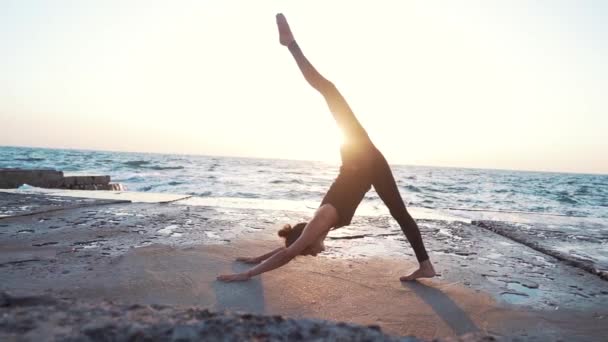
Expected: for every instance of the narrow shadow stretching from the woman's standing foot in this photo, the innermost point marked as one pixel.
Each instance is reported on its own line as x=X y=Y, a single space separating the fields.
x=444 y=307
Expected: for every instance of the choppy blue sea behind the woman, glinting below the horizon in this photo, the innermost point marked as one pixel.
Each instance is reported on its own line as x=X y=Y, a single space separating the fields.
x=570 y=208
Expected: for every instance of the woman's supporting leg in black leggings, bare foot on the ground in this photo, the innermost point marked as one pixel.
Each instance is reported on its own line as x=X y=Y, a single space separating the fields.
x=385 y=186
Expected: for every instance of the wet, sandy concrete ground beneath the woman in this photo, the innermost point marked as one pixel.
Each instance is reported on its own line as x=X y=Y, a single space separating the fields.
x=151 y=253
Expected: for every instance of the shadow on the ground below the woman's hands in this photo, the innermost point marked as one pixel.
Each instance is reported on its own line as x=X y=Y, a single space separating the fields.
x=240 y=296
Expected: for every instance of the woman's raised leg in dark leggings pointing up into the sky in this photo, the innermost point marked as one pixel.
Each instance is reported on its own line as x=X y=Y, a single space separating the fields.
x=342 y=113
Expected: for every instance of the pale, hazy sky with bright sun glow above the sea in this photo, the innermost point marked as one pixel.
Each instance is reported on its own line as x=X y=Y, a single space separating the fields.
x=489 y=84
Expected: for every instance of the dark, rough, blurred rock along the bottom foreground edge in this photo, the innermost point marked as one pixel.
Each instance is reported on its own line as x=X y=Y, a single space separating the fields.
x=37 y=318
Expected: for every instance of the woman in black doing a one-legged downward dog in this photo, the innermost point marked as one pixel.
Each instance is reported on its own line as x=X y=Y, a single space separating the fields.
x=362 y=166
